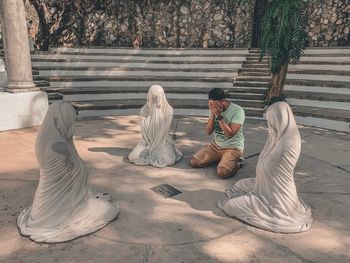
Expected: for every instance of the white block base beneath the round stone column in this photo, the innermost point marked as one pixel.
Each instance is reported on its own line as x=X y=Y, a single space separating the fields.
x=22 y=110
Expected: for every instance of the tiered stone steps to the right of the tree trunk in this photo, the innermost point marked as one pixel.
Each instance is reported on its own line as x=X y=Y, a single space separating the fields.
x=318 y=89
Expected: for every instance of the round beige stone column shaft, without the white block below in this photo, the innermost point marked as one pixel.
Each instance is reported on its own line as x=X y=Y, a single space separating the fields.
x=16 y=47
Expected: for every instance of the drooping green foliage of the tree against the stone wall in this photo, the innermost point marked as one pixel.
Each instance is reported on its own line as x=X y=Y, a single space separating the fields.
x=284 y=37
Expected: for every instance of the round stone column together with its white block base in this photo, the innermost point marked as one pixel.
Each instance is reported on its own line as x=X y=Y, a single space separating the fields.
x=23 y=105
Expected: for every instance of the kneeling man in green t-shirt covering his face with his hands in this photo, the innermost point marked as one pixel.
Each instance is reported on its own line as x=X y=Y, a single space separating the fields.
x=226 y=121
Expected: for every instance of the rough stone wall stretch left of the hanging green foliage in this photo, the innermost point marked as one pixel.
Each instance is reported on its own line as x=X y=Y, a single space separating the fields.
x=168 y=23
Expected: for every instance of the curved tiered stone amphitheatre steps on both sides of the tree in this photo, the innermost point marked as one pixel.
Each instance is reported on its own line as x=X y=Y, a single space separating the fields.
x=107 y=81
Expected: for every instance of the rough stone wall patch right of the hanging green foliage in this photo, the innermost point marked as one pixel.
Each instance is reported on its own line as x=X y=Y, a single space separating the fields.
x=329 y=22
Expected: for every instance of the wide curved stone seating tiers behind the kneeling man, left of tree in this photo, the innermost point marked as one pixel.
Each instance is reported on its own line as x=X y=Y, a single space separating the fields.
x=109 y=81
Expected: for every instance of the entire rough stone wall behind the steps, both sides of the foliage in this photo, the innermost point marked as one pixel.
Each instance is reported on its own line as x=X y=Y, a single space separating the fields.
x=188 y=23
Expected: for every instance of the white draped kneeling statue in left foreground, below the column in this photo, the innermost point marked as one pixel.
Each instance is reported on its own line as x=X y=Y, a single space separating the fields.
x=64 y=206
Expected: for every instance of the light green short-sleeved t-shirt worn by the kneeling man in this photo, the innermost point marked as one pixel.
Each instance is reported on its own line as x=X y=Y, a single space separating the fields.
x=233 y=114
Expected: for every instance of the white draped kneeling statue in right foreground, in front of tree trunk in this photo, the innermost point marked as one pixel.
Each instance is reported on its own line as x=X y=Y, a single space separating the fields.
x=270 y=200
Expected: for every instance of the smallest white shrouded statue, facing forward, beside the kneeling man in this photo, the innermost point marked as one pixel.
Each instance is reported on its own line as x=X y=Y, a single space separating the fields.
x=156 y=146
